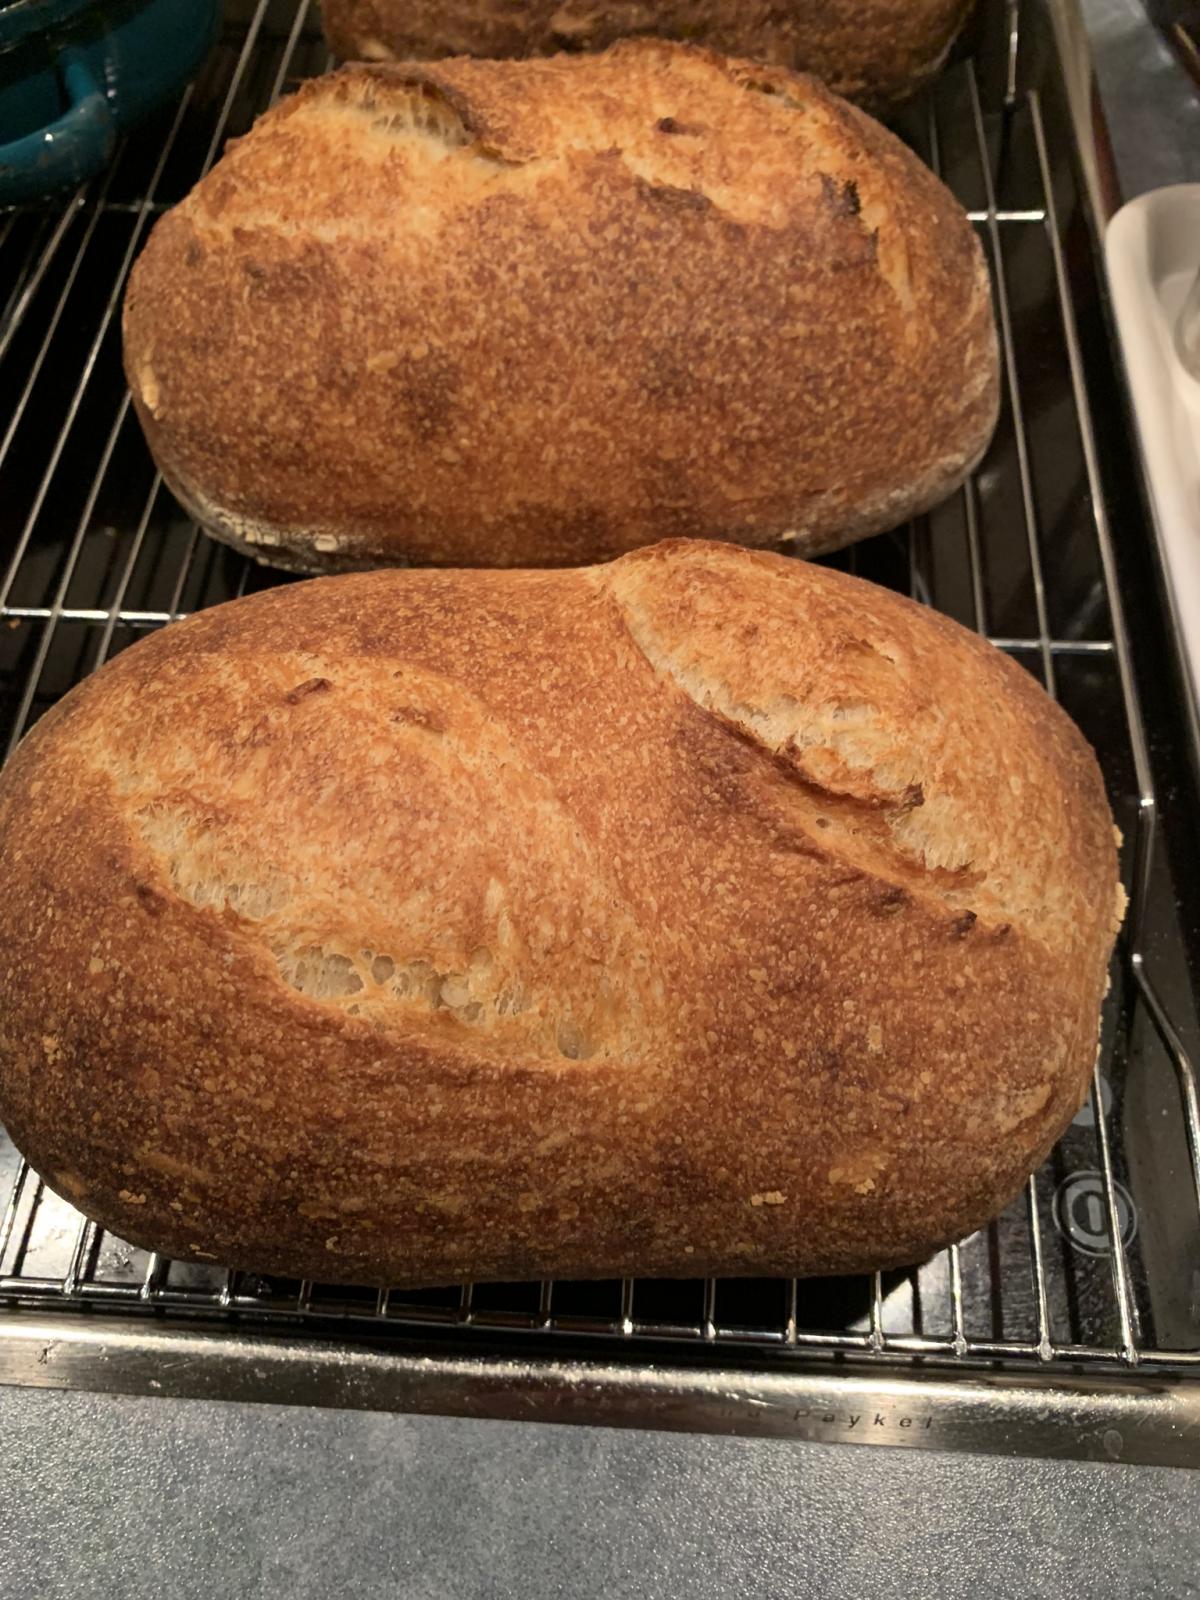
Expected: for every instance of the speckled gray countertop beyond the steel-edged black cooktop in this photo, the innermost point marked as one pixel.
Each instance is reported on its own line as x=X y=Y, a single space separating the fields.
x=111 y=1497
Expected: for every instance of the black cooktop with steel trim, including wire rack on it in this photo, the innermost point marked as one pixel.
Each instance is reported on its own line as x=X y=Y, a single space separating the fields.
x=1073 y=1324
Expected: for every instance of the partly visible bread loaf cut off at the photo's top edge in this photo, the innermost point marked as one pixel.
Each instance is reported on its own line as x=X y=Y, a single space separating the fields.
x=878 y=52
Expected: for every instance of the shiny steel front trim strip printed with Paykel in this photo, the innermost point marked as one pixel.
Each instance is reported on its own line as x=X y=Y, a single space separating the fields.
x=1146 y=1420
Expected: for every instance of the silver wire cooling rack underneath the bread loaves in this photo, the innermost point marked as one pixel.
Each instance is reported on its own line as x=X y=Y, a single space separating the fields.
x=1100 y=1260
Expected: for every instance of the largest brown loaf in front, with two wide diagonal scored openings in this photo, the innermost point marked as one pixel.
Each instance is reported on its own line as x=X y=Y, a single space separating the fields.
x=697 y=914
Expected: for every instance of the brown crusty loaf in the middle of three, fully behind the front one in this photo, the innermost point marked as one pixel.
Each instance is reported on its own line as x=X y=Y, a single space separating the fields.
x=522 y=314
